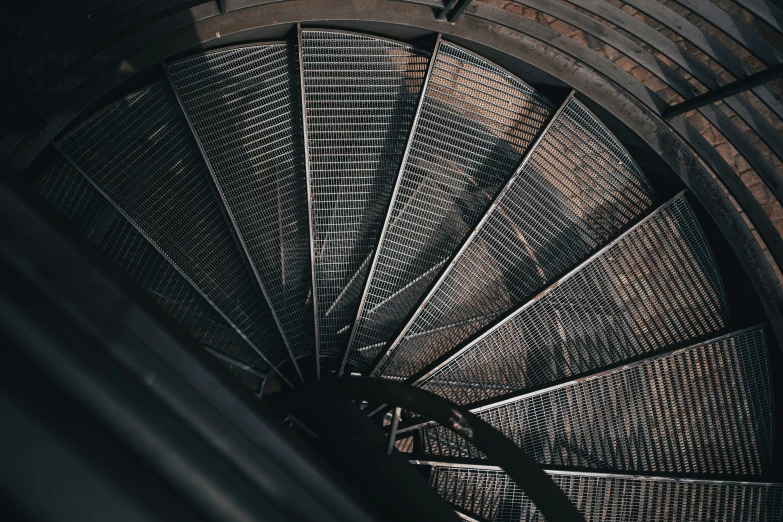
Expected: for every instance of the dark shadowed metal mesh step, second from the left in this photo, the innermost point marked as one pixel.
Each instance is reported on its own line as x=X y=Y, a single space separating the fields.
x=141 y=154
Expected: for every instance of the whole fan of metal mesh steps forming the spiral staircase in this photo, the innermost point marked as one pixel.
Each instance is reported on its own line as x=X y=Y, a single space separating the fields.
x=340 y=204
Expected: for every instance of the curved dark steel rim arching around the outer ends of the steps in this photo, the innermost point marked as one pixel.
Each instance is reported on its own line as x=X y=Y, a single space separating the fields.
x=520 y=40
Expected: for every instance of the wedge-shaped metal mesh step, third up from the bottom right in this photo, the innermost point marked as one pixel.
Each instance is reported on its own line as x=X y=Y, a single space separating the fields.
x=652 y=288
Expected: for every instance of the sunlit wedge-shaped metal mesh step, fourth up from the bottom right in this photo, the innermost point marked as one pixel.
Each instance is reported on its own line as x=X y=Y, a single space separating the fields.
x=544 y=223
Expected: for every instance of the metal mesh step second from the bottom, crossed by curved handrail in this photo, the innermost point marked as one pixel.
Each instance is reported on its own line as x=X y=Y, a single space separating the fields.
x=702 y=409
